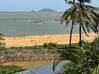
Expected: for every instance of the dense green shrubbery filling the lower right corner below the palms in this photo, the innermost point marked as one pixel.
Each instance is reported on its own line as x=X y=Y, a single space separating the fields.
x=85 y=59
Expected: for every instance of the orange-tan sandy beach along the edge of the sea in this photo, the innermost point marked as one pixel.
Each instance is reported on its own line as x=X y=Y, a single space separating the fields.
x=41 y=39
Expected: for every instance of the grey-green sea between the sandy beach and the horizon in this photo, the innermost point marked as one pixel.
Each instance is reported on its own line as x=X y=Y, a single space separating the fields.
x=14 y=24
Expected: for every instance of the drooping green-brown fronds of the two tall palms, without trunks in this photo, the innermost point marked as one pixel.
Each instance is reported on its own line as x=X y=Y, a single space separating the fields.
x=82 y=14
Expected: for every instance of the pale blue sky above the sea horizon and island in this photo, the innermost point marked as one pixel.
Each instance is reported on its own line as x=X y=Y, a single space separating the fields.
x=29 y=5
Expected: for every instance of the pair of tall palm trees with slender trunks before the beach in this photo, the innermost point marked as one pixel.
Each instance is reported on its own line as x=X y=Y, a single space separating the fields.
x=81 y=14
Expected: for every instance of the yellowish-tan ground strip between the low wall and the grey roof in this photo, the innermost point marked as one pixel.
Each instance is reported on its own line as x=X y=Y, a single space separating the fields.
x=28 y=65
